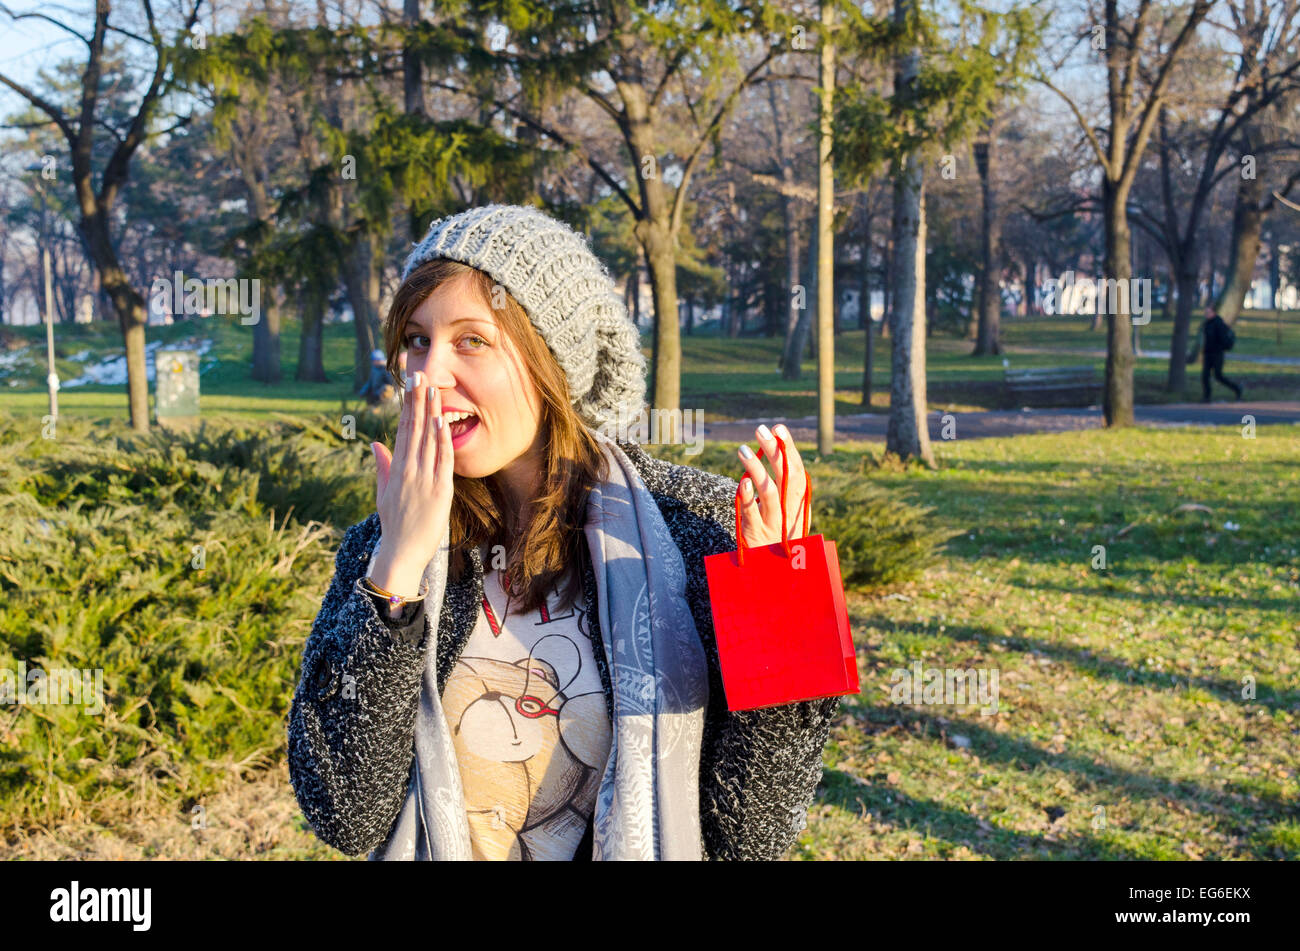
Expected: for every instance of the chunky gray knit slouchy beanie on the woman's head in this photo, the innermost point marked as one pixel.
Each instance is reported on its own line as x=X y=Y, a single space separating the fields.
x=567 y=293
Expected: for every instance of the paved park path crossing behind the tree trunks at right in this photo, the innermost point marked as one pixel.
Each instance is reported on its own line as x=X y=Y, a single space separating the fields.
x=1004 y=423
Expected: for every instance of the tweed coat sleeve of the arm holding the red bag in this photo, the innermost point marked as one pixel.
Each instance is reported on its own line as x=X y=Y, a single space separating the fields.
x=760 y=770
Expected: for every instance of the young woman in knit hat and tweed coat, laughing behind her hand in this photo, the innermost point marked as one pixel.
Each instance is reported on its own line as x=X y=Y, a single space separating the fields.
x=515 y=658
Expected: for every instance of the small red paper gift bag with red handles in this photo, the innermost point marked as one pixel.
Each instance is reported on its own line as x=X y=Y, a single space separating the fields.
x=779 y=616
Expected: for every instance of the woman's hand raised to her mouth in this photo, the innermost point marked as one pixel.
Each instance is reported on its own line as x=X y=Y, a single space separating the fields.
x=413 y=490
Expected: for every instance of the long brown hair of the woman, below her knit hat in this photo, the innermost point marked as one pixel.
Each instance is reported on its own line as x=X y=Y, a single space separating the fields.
x=551 y=546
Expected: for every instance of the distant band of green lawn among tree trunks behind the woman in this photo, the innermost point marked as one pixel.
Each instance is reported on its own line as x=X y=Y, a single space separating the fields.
x=726 y=379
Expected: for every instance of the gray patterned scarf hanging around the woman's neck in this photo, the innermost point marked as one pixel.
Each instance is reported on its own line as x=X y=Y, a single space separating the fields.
x=648 y=804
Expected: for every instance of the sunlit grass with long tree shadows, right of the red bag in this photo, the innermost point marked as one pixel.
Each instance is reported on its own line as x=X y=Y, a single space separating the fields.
x=1126 y=727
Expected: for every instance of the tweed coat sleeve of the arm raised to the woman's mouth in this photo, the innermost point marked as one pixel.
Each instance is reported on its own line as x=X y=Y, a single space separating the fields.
x=352 y=726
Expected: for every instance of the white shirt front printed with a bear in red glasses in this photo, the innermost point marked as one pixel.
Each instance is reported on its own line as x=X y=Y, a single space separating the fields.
x=532 y=733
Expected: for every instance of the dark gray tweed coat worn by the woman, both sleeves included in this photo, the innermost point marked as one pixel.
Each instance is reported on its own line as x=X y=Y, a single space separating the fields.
x=350 y=759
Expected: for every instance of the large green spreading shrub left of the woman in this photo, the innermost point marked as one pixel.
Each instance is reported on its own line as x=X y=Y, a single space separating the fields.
x=172 y=564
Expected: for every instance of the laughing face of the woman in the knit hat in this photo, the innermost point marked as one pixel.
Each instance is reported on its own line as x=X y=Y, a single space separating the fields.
x=453 y=338
